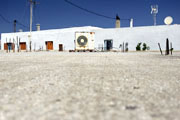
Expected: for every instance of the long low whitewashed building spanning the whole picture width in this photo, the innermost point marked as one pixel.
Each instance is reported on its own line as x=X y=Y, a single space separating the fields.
x=103 y=38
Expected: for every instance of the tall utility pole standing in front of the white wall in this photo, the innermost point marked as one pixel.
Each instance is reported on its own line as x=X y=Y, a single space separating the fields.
x=32 y=3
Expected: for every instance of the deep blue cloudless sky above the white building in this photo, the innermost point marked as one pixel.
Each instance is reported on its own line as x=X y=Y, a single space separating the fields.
x=52 y=14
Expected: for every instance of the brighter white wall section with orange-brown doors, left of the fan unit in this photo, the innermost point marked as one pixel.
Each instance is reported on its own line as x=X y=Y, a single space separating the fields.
x=58 y=36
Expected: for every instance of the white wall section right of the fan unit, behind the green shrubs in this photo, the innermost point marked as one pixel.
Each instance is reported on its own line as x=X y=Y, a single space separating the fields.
x=151 y=35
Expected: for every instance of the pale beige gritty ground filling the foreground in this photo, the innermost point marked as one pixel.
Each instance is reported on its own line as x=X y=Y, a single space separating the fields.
x=89 y=86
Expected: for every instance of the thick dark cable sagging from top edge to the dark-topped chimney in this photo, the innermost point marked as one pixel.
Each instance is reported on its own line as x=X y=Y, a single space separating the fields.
x=75 y=5
